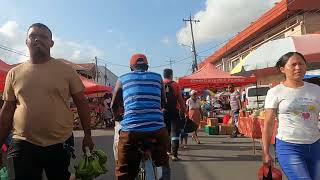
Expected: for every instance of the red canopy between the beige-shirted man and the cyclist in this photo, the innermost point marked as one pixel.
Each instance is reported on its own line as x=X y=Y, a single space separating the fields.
x=93 y=87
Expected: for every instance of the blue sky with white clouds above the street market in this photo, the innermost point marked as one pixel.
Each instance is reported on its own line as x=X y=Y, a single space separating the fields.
x=114 y=30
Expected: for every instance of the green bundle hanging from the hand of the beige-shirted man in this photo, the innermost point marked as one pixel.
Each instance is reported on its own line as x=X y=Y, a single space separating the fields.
x=91 y=165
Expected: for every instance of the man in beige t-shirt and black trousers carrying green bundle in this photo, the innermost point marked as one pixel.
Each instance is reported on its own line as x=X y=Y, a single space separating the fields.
x=36 y=110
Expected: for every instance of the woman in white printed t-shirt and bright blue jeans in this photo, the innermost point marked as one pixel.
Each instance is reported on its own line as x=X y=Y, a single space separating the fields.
x=296 y=104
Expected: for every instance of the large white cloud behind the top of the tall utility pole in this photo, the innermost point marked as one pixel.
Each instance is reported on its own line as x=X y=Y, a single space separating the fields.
x=223 y=18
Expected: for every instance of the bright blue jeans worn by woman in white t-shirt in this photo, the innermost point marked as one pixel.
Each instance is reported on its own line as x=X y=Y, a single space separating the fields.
x=299 y=161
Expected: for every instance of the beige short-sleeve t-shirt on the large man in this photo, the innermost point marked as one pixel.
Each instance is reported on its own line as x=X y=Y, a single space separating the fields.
x=42 y=93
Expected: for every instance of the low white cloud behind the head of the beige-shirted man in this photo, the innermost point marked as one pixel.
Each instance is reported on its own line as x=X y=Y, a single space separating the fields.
x=11 y=36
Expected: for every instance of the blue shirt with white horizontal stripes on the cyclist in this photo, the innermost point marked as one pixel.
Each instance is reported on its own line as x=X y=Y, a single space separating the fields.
x=142 y=101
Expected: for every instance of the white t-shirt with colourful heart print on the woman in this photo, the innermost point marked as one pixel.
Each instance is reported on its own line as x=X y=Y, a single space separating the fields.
x=298 y=112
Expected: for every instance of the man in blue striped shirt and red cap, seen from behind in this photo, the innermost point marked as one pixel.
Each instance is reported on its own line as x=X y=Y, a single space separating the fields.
x=142 y=95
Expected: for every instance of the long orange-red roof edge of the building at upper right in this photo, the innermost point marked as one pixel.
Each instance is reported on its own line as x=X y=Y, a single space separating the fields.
x=269 y=19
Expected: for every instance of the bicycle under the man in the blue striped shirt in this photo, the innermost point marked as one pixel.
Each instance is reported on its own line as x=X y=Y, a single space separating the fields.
x=147 y=169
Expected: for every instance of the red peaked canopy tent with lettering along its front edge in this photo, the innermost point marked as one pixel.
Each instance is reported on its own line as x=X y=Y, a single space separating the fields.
x=209 y=76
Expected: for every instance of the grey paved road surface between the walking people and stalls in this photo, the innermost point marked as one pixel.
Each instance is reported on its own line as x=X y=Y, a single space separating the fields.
x=218 y=158
